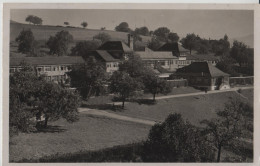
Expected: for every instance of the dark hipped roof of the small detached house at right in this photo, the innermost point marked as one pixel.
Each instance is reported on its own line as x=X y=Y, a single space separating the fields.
x=201 y=67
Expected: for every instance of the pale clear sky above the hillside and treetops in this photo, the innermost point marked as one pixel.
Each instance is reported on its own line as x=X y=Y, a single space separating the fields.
x=212 y=24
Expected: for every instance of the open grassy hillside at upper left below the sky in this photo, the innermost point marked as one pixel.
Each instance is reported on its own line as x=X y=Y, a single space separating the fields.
x=43 y=32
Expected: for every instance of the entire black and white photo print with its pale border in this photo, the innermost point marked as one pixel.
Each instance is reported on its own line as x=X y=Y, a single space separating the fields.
x=130 y=85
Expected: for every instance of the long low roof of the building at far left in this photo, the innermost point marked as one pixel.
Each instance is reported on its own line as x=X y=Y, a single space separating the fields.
x=47 y=60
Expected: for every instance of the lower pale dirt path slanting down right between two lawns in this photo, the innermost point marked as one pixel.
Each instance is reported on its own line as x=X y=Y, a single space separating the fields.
x=114 y=116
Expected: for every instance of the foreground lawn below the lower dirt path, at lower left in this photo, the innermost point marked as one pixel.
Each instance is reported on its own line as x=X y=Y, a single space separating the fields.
x=89 y=133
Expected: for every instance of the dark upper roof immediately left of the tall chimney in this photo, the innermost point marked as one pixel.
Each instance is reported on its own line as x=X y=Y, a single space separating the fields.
x=115 y=46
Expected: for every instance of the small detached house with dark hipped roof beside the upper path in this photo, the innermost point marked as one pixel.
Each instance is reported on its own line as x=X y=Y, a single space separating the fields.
x=204 y=75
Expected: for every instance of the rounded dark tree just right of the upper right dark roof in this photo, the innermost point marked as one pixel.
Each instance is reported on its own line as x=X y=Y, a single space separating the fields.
x=190 y=42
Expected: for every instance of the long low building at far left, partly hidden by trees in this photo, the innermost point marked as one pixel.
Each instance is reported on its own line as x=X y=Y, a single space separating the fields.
x=52 y=68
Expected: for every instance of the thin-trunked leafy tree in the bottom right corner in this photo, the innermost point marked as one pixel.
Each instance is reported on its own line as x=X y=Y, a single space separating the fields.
x=229 y=125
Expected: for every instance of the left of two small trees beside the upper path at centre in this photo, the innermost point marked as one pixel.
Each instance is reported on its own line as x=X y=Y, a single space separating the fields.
x=123 y=85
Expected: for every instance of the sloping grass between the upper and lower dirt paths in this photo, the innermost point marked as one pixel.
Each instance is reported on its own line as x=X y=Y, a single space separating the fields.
x=192 y=108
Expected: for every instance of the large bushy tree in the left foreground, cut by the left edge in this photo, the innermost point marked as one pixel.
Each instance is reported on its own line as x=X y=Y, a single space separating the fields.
x=31 y=96
